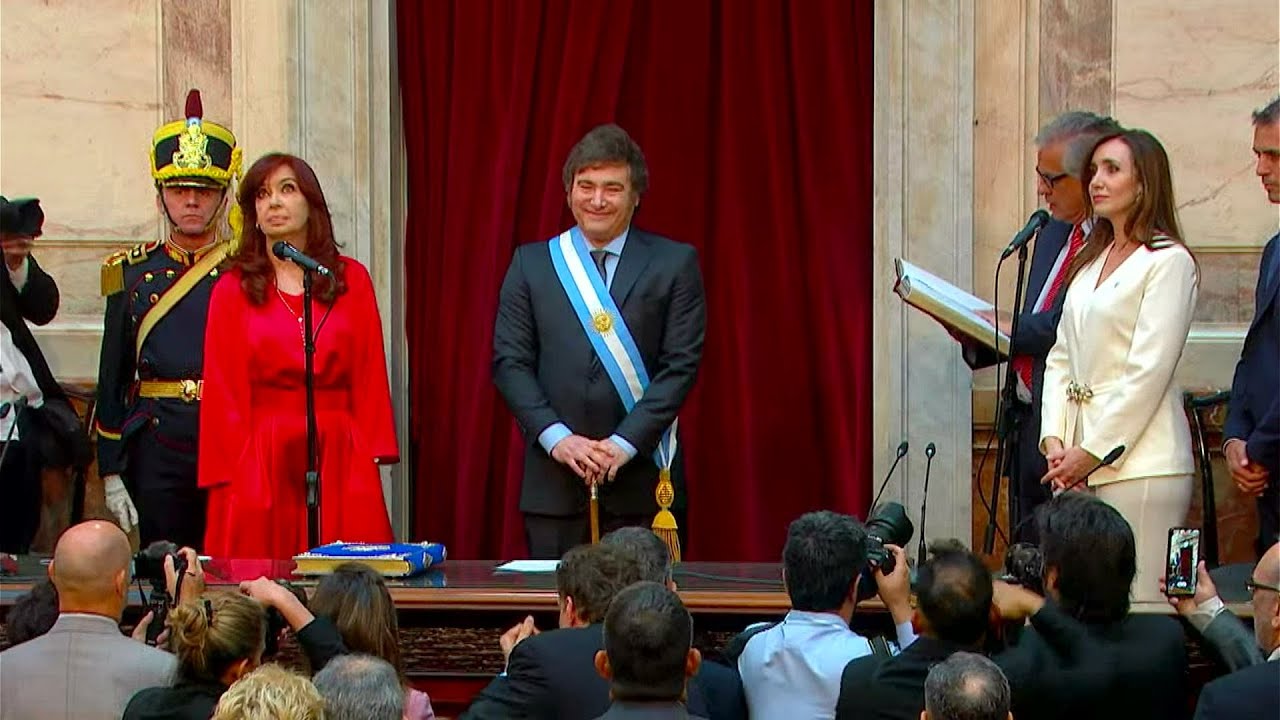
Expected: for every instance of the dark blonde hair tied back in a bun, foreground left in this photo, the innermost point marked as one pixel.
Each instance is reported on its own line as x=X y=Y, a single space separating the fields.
x=216 y=631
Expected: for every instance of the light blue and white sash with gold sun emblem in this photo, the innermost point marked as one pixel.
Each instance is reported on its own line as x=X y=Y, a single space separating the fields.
x=605 y=327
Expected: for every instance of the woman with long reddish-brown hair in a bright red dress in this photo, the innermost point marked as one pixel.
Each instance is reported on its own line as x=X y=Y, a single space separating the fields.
x=253 y=417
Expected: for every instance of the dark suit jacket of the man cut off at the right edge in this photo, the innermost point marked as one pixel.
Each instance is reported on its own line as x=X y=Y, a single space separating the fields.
x=1255 y=412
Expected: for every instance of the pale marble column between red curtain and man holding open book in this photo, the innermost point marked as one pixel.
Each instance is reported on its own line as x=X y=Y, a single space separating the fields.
x=924 y=212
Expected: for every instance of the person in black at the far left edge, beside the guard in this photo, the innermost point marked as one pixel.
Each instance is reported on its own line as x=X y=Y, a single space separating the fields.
x=28 y=294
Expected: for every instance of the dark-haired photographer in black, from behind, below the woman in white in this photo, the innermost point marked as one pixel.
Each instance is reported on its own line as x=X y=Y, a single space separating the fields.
x=1133 y=666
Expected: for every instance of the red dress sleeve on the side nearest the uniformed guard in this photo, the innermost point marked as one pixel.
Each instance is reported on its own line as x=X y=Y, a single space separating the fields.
x=225 y=403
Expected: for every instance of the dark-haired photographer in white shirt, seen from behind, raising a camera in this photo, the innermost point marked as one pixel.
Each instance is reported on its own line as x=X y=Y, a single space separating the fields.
x=794 y=668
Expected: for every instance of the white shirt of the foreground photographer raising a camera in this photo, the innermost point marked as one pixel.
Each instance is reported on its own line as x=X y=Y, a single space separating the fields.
x=793 y=671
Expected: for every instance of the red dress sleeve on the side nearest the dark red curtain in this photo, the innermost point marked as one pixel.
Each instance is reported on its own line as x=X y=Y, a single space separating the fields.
x=373 y=399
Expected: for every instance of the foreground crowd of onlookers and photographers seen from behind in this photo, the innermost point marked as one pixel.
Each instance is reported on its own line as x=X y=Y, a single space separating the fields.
x=971 y=648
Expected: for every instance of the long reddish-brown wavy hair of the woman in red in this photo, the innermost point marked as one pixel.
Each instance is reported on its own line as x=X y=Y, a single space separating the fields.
x=254 y=259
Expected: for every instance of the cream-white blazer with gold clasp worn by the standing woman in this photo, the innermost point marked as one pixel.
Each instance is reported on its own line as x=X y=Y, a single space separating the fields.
x=1109 y=380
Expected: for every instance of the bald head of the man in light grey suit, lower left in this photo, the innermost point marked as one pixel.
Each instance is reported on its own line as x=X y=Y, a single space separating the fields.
x=92 y=567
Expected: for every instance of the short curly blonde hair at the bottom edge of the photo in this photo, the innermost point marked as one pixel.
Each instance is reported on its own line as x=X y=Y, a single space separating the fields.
x=271 y=694
